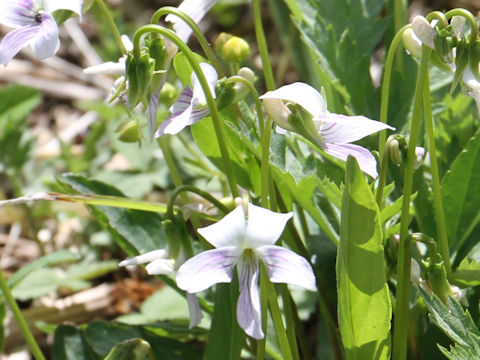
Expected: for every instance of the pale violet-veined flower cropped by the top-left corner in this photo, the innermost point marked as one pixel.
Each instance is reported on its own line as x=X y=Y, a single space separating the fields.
x=33 y=25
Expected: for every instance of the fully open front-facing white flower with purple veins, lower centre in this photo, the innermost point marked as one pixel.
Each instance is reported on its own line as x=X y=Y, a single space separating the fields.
x=242 y=240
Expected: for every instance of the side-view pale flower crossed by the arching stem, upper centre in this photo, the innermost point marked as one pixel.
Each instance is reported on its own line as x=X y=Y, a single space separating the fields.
x=191 y=105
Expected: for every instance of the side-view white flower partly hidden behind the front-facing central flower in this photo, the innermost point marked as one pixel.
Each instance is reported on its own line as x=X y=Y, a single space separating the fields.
x=160 y=263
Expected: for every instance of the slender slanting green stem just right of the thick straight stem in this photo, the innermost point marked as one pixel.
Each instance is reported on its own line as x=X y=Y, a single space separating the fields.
x=437 y=194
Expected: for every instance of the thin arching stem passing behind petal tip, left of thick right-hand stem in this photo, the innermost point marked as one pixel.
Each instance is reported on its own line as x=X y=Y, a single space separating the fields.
x=387 y=76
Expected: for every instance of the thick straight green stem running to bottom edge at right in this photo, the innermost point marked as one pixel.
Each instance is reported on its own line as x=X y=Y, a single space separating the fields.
x=404 y=251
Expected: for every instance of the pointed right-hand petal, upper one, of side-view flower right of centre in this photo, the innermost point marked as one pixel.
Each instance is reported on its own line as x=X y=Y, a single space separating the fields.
x=336 y=128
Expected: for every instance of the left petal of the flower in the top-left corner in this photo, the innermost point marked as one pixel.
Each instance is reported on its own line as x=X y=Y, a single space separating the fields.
x=17 y=13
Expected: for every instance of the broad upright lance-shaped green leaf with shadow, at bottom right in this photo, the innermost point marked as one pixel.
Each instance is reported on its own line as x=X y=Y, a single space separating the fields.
x=364 y=307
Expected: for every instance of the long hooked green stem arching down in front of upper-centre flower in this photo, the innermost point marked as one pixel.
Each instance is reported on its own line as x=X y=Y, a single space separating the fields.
x=215 y=115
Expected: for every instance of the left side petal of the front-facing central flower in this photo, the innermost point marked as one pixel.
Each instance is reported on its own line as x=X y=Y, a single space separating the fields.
x=206 y=269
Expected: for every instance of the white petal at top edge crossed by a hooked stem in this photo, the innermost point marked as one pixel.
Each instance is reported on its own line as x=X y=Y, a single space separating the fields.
x=196 y=9
